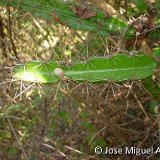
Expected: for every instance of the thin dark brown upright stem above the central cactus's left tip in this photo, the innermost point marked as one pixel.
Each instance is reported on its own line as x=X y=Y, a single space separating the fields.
x=10 y=33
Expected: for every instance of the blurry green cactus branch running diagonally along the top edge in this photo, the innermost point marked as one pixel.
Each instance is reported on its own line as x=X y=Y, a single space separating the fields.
x=63 y=12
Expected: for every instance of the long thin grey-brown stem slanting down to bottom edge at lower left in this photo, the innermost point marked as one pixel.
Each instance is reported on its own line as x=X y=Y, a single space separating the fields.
x=12 y=129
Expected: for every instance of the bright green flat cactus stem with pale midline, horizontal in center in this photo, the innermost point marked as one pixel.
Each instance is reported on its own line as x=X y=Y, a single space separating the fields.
x=117 y=68
